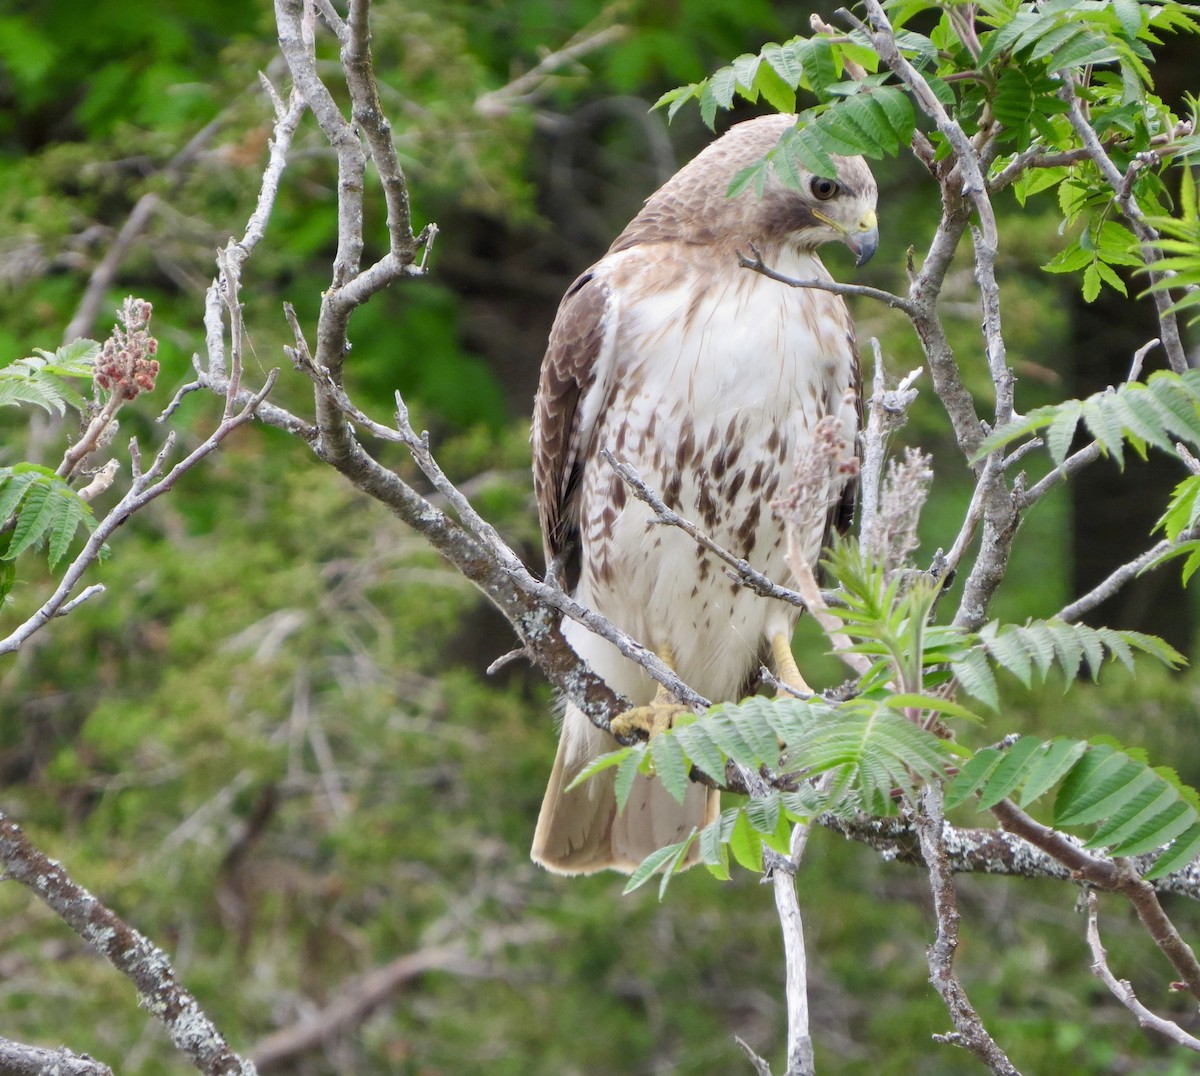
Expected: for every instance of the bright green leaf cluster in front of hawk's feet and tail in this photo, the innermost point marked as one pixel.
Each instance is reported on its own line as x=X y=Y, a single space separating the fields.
x=868 y=754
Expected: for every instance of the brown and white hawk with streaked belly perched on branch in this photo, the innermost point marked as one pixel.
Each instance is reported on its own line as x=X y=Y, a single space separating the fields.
x=707 y=378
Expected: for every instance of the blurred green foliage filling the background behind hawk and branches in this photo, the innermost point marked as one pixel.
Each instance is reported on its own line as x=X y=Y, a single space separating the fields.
x=272 y=746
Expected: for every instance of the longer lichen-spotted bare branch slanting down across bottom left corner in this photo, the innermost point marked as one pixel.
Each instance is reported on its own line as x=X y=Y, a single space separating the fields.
x=136 y=958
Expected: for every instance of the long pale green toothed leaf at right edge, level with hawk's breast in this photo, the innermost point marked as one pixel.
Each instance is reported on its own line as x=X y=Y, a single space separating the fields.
x=1160 y=412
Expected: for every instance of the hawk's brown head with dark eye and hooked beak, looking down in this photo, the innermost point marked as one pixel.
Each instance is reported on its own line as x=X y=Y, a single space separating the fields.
x=694 y=206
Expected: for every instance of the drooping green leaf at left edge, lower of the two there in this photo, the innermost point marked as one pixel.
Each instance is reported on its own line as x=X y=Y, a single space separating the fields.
x=41 y=509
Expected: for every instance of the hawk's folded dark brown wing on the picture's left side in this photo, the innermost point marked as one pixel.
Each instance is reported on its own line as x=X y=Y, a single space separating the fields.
x=577 y=377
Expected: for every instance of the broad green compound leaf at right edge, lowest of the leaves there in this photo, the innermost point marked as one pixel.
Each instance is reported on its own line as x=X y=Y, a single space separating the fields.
x=1136 y=808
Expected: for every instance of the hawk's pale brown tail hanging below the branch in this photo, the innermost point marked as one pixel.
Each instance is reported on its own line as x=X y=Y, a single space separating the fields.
x=580 y=832
